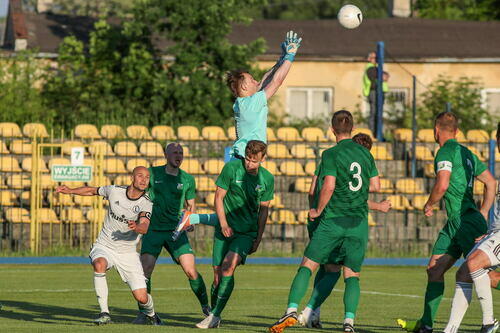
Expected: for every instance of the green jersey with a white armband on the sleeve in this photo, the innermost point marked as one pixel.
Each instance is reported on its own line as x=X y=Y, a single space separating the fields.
x=464 y=166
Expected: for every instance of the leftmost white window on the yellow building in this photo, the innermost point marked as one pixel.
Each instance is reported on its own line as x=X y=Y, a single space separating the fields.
x=305 y=102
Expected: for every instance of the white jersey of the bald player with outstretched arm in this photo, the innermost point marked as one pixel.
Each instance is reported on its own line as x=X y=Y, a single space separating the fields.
x=115 y=233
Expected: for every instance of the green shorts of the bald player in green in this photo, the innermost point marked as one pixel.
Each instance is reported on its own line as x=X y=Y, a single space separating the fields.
x=154 y=240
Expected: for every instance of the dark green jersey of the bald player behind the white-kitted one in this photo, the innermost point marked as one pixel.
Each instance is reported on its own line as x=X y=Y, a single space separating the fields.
x=169 y=194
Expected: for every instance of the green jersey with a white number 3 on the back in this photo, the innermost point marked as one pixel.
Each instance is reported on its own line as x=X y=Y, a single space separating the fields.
x=352 y=165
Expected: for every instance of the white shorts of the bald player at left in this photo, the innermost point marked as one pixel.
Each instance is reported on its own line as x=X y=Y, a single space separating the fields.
x=127 y=264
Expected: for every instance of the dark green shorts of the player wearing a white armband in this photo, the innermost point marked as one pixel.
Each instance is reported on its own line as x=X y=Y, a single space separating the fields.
x=458 y=236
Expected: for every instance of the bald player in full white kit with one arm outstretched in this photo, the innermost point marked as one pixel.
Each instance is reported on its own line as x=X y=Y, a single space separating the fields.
x=126 y=220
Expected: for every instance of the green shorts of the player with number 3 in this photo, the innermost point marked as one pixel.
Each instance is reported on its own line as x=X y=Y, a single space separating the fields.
x=340 y=241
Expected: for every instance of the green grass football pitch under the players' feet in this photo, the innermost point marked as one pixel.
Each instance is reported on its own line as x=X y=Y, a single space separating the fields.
x=60 y=298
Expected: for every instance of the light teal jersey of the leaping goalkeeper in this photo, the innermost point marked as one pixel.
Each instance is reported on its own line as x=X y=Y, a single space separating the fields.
x=250 y=114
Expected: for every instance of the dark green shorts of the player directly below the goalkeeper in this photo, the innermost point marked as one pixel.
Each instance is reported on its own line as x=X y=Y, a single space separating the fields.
x=239 y=243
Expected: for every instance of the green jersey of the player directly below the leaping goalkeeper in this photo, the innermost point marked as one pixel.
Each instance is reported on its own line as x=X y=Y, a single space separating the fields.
x=244 y=194
